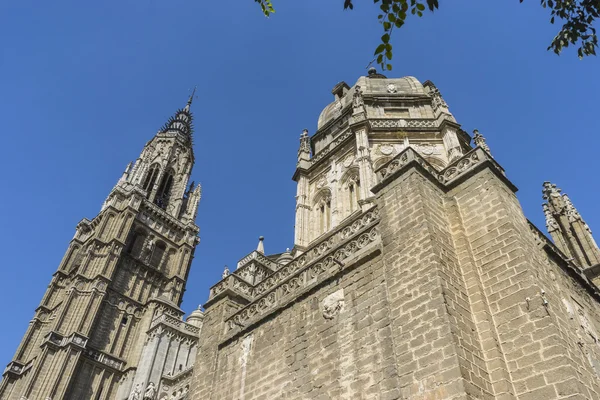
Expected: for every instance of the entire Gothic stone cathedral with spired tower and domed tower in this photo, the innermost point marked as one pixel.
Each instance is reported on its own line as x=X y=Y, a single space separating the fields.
x=414 y=275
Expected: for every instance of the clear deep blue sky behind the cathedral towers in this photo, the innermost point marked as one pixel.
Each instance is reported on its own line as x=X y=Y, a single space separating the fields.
x=83 y=86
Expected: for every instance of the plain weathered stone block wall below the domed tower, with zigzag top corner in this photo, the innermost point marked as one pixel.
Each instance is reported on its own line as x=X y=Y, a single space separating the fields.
x=459 y=298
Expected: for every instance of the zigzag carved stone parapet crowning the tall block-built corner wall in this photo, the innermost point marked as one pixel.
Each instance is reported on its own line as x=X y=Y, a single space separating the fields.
x=452 y=173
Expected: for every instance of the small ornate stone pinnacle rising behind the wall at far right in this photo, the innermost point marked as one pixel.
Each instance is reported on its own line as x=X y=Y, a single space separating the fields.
x=567 y=228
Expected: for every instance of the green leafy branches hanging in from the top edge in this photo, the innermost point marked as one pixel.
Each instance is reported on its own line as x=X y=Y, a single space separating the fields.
x=577 y=16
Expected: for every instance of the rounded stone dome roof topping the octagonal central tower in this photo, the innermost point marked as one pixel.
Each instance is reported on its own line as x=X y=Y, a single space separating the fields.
x=372 y=85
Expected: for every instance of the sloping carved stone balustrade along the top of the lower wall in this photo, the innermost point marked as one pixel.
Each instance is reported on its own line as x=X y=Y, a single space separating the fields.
x=319 y=263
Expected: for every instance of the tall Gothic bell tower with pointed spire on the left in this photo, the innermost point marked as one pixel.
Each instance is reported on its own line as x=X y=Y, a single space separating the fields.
x=121 y=270
